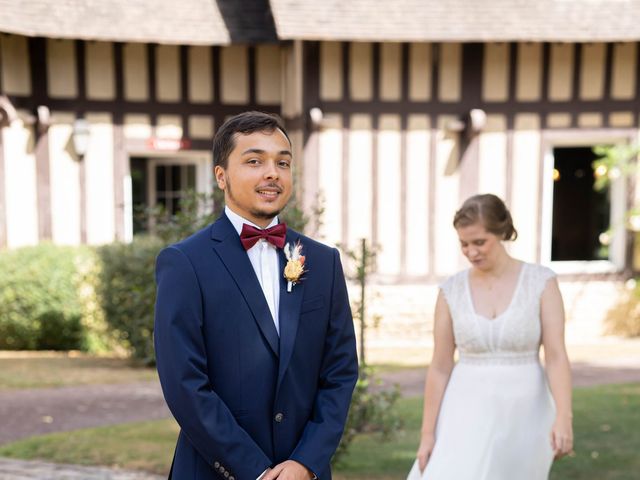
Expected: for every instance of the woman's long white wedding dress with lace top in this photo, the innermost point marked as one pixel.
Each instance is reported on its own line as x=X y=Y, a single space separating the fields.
x=497 y=412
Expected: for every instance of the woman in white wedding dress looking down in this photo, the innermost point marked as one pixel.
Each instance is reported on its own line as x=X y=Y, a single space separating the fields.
x=495 y=414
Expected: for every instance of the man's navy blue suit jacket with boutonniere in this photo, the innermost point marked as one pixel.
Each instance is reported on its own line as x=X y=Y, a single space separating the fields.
x=244 y=397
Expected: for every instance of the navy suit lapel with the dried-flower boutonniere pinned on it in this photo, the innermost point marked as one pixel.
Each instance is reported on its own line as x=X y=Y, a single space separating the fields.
x=289 y=310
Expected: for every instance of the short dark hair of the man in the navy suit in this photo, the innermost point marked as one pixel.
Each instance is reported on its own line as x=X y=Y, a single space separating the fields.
x=244 y=123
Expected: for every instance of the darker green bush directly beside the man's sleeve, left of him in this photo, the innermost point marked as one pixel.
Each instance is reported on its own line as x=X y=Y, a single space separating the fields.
x=126 y=290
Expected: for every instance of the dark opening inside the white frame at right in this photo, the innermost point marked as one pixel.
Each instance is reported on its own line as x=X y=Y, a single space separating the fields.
x=580 y=214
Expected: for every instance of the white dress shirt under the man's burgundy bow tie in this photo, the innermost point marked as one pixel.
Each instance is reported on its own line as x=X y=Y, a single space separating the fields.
x=264 y=260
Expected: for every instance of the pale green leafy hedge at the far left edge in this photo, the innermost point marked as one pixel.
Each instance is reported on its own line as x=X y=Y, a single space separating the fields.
x=40 y=305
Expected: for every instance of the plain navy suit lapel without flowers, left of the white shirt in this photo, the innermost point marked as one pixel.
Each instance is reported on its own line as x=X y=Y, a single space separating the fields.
x=226 y=244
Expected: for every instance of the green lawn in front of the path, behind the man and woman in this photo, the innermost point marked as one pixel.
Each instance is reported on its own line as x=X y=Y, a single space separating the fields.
x=607 y=430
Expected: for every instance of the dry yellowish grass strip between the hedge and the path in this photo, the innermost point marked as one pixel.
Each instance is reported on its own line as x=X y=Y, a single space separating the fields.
x=53 y=369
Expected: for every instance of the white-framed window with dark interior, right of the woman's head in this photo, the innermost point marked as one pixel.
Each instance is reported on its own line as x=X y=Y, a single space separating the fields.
x=575 y=216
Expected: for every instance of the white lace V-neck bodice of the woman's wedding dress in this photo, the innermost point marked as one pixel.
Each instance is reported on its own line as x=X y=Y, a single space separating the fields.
x=513 y=335
